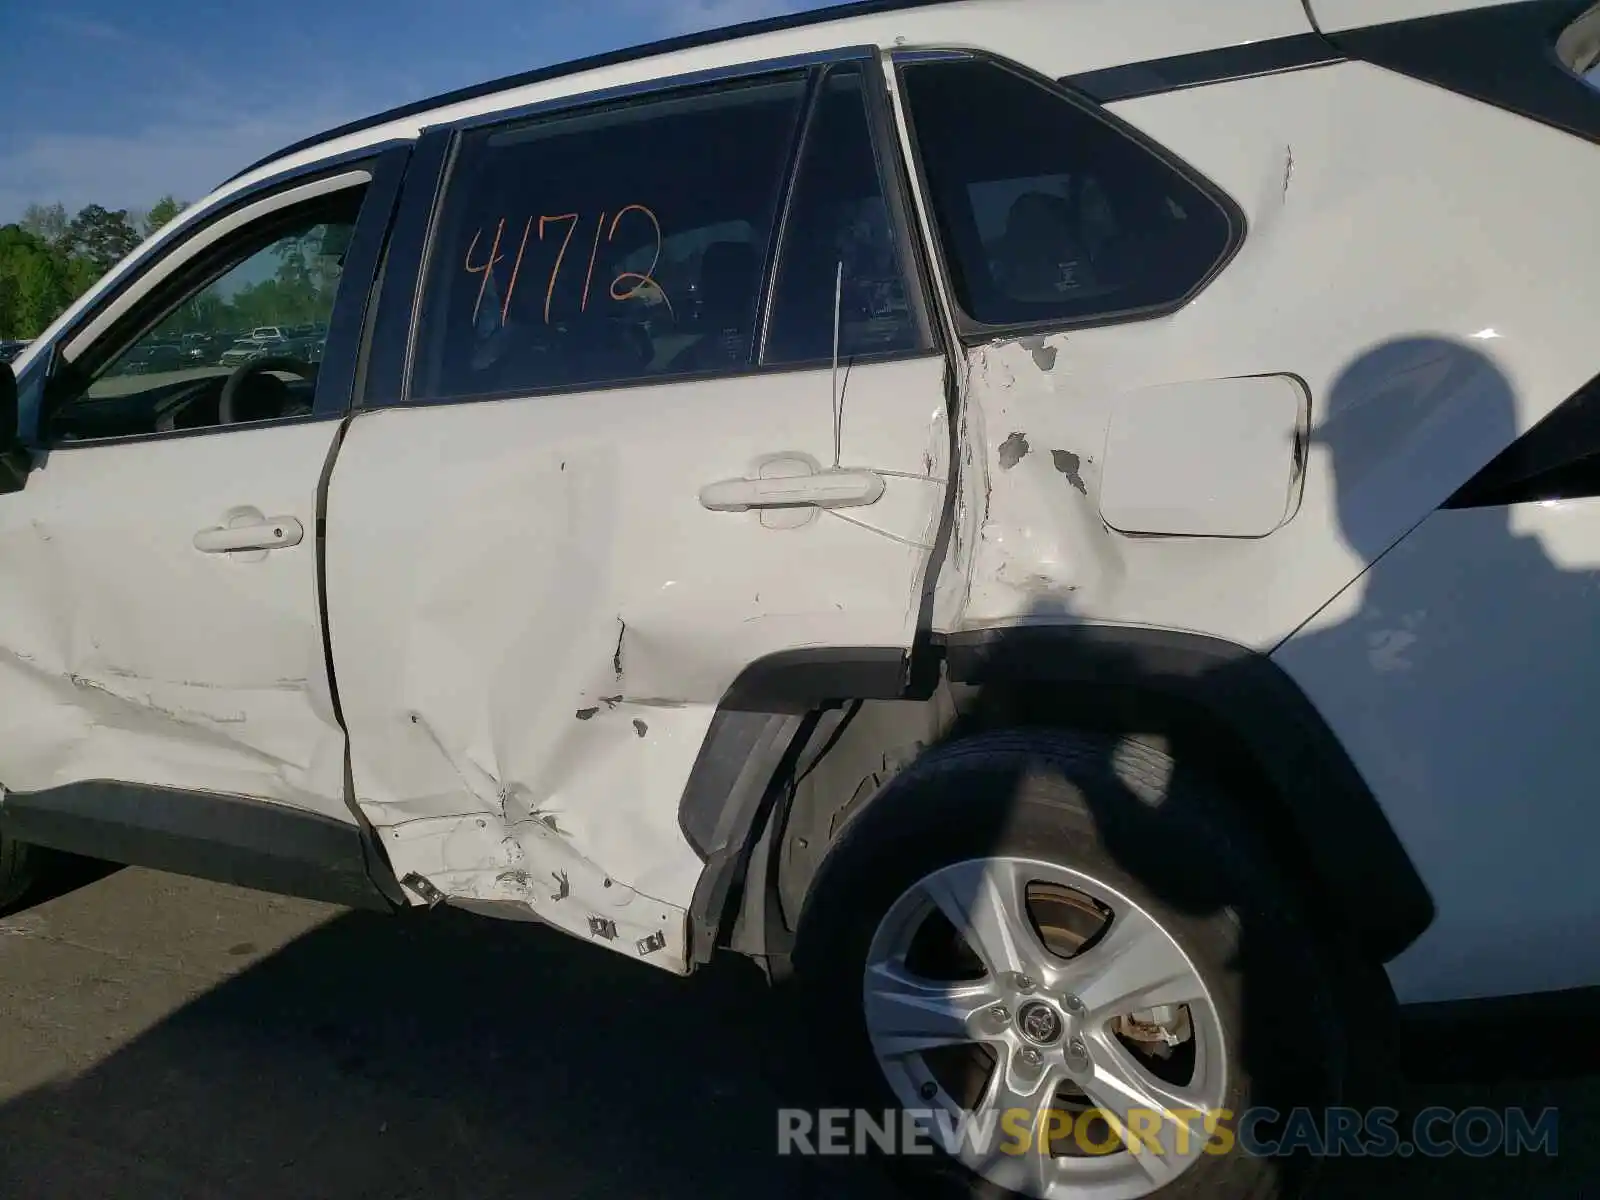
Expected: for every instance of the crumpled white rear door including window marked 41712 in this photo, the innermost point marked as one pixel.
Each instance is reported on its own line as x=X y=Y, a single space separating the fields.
x=612 y=466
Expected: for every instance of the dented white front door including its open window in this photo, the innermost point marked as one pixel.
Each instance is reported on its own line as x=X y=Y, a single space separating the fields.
x=159 y=625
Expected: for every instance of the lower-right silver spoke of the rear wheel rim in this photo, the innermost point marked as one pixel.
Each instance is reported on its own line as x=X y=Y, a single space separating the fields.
x=1142 y=1108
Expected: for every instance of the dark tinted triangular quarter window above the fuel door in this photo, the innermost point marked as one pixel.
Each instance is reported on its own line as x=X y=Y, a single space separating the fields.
x=1049 y=214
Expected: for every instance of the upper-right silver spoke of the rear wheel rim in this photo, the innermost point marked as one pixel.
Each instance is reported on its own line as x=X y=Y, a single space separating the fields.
x=1137 y=966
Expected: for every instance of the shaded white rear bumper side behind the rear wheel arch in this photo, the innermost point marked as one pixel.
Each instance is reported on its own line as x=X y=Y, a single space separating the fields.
x=1460 y=673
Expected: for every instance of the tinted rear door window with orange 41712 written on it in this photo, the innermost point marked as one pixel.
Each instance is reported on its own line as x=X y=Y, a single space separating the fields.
x=607 y=246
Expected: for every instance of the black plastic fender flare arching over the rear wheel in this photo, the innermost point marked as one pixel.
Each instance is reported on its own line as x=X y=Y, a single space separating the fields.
x=782 y=705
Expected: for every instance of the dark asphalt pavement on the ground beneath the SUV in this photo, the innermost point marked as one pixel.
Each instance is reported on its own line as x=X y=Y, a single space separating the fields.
x=166 y=1038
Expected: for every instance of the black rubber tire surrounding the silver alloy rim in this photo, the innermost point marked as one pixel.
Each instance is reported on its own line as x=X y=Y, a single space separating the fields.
x=1062 y=799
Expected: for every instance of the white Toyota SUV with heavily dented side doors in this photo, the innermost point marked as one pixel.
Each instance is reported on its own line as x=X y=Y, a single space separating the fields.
x=1066 y=530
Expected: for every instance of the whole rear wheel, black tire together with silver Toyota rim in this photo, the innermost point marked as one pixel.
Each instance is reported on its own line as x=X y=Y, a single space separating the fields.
x=1170 y=858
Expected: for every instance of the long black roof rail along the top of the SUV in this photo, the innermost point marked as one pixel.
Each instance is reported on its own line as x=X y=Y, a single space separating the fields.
x=772 y=25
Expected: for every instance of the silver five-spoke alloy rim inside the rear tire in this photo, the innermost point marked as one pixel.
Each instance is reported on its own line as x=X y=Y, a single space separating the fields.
x=1047 y=1020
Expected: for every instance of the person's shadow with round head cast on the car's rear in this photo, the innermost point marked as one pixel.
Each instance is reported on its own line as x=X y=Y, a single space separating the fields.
x=1457 y=673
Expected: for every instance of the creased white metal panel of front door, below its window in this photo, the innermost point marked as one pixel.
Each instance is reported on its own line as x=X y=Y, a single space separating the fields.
x=126 y=654
